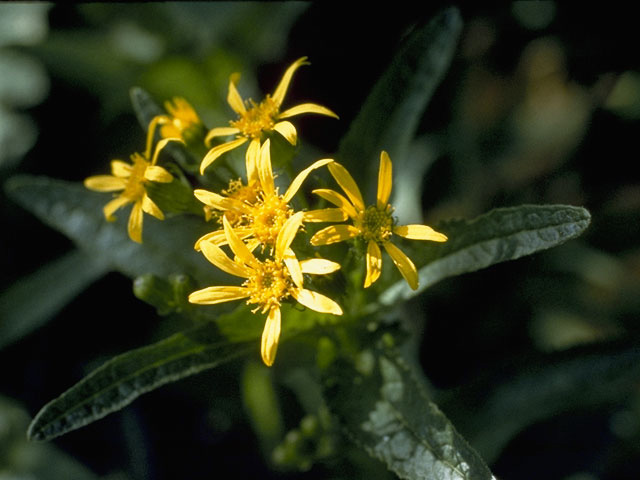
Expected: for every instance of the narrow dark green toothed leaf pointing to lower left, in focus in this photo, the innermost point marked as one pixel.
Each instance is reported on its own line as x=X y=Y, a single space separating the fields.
x=125 y=377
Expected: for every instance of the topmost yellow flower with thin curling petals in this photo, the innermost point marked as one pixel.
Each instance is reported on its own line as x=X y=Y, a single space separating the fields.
x=255 y=119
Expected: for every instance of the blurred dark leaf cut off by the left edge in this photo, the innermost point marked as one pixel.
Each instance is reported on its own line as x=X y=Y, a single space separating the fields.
x=62 y=280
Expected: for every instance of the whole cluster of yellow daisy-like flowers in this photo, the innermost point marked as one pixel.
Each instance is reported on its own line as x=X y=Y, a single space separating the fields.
x=256 y=223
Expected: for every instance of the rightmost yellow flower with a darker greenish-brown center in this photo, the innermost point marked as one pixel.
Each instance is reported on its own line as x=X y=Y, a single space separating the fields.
x=373 y=223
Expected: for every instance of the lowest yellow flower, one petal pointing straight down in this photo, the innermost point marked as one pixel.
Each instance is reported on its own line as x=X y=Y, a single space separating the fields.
x=268 y=282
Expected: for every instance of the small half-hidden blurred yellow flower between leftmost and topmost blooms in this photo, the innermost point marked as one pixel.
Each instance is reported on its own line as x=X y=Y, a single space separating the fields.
x=182 y=121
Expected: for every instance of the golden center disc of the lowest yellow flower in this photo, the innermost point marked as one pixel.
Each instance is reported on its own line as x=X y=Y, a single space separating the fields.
x=268 y=285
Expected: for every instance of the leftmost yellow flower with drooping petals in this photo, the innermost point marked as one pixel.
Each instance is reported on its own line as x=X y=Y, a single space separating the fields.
x=132 y=180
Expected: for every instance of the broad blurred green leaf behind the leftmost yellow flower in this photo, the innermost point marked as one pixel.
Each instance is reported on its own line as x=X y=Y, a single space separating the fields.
x=77 y=212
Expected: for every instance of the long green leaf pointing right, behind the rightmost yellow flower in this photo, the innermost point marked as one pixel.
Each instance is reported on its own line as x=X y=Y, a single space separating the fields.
x=497 y=236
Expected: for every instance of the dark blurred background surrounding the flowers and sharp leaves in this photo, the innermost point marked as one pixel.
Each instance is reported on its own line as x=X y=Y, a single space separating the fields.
x=541 y=105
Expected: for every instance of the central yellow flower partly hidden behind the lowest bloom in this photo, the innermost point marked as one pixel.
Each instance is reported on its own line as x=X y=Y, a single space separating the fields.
x=257 y=211
